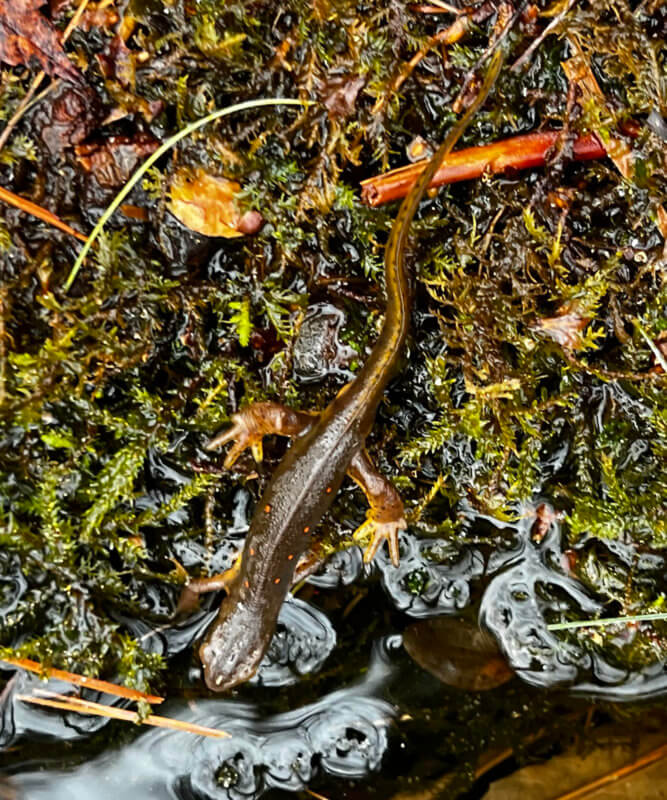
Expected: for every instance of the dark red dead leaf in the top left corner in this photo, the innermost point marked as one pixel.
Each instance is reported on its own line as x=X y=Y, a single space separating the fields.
x=25 y=34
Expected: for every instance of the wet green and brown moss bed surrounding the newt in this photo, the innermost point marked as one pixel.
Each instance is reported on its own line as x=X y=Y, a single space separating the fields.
x=539 y=298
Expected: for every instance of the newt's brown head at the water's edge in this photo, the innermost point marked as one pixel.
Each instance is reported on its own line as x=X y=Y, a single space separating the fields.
x=233 y=648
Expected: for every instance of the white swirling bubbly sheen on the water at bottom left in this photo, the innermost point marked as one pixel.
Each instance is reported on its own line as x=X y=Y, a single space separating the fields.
x=344 y=733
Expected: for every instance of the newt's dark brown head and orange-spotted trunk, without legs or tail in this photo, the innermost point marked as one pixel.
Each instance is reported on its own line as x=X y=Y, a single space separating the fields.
x=301 y=490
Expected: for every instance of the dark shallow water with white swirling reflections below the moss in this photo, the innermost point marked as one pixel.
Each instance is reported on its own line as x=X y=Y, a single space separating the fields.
x=369 y=734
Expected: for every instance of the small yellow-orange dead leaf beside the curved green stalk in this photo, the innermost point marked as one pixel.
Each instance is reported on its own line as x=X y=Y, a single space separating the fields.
x=205 y=204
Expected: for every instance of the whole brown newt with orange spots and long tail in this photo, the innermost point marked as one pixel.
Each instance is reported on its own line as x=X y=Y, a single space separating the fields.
x=326 y=447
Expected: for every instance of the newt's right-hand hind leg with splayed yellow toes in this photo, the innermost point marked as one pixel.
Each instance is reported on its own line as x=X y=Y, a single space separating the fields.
x=386 y=515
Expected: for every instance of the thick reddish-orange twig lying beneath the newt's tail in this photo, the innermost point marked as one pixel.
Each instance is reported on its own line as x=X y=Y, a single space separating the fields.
x=519 y=152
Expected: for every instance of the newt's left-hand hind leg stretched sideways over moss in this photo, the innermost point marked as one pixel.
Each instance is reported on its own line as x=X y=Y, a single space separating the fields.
x=251 y=424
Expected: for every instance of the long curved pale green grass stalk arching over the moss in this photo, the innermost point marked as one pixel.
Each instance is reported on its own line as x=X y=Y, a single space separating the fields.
x=148 y=163
